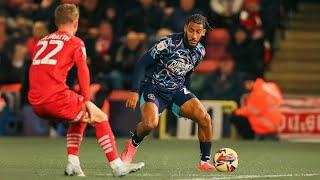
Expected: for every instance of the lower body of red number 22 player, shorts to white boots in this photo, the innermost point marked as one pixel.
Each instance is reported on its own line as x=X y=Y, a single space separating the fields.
x=72 y=109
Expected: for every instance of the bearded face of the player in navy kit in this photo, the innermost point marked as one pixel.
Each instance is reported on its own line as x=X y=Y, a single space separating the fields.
x=194 y=32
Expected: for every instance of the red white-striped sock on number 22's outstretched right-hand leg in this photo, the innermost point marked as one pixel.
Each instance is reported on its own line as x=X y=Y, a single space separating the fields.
x=106 y=140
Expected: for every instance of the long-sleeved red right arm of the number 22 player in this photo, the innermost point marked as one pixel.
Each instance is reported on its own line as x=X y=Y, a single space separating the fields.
x=83 y=72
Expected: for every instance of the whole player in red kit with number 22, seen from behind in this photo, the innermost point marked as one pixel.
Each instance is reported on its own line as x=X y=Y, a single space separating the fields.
x=51 y=98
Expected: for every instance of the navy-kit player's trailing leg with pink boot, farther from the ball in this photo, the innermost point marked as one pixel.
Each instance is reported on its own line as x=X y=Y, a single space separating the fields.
x=149 y=107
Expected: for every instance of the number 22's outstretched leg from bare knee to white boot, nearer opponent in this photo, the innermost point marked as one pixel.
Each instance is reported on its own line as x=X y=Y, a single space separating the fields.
x=106 y=141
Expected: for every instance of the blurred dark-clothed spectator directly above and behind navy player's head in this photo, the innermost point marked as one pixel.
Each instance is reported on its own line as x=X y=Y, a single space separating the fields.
x=177 y=19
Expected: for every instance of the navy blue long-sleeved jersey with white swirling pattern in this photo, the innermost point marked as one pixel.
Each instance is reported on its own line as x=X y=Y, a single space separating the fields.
x=168 y=64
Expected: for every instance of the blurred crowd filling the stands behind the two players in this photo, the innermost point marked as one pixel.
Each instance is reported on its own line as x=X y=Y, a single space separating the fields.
x=117 y=33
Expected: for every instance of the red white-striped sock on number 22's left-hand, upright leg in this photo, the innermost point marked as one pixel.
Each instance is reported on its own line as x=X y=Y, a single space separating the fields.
x=74 y=137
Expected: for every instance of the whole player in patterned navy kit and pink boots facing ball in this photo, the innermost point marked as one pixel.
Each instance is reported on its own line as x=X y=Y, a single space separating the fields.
x=161 y=80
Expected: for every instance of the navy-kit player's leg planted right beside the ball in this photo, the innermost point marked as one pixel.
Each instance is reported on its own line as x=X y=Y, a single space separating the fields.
x=192 y=108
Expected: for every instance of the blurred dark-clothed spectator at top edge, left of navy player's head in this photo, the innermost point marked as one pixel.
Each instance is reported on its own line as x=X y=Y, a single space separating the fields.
x=146 y=18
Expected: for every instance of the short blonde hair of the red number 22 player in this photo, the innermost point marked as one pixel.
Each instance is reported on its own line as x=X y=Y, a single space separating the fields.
x=66 y=13
